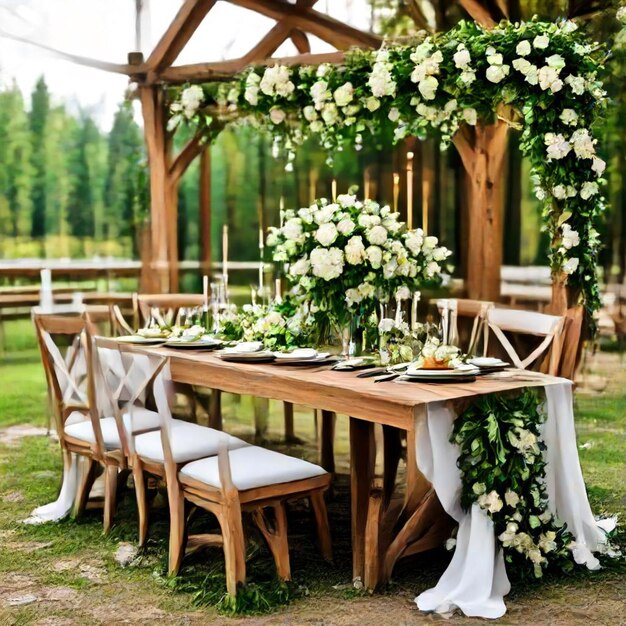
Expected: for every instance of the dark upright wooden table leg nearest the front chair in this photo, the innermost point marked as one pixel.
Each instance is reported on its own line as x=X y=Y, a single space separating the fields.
x=362 y=460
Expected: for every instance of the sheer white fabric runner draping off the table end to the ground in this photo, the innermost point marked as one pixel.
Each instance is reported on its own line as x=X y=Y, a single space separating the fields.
x=476 y=581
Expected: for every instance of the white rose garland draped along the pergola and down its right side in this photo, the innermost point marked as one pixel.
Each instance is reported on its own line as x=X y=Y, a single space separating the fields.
x=545 y=74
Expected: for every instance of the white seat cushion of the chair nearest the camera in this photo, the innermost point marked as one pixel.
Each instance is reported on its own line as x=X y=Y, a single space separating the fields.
x=253 y=467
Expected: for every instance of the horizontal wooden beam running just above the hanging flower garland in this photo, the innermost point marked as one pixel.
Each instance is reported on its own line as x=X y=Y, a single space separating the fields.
x=225 y=70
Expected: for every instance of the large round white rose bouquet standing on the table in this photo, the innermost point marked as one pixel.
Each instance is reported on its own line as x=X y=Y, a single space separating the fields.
x=347 y=255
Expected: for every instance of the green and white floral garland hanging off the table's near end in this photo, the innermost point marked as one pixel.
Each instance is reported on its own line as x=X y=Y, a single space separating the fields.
x=503 y=471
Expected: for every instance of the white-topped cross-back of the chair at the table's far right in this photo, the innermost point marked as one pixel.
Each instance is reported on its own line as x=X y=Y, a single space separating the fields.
x=529 y=323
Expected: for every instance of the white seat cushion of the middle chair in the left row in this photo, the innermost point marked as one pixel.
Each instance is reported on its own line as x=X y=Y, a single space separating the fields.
x=188 y=442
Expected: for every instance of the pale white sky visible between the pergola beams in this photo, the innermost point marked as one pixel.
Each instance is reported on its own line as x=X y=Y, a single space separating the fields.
x=105 y=30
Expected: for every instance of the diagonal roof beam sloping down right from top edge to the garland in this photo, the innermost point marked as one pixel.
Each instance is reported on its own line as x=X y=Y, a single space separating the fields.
x=337 y=33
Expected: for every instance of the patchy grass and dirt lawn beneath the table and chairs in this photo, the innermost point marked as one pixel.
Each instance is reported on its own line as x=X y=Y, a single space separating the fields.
x=66 y=573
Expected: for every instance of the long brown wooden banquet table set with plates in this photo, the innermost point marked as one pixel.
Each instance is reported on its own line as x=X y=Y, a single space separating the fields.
x=389 y=521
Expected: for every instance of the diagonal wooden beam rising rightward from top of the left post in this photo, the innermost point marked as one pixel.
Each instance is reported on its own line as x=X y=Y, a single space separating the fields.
x=183 y=26
